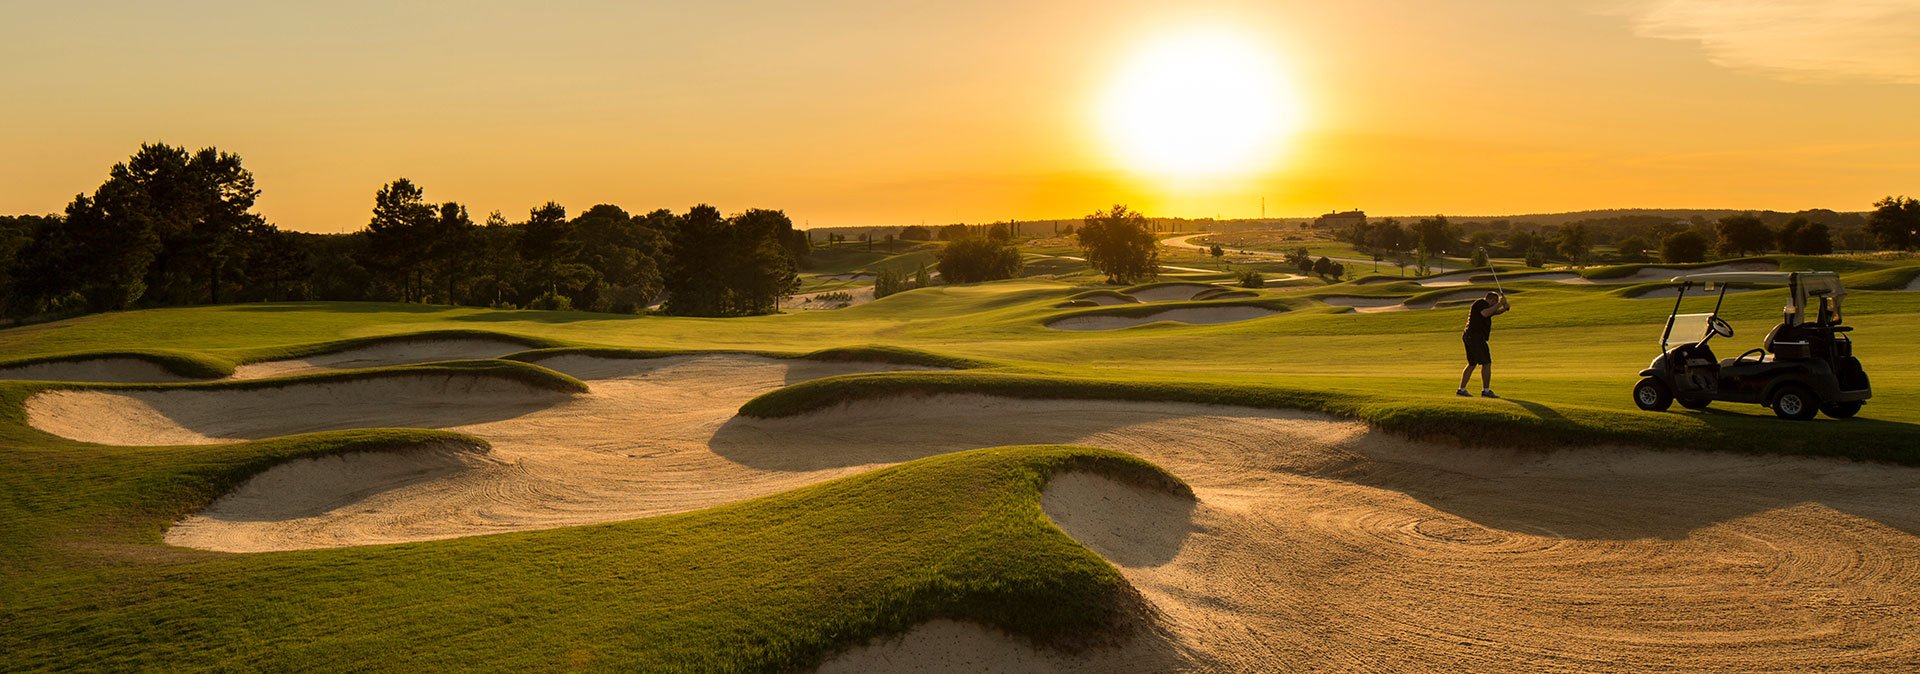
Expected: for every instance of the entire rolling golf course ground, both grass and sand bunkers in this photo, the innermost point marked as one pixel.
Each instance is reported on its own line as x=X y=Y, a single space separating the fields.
x=1042 y=473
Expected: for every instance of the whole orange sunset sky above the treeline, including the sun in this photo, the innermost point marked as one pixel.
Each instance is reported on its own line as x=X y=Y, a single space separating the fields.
x=905 y=112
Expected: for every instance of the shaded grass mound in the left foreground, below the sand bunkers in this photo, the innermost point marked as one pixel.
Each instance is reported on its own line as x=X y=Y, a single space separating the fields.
x=767 y=585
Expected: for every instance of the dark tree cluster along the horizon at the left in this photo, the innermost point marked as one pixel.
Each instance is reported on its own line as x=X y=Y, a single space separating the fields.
x=176 y=228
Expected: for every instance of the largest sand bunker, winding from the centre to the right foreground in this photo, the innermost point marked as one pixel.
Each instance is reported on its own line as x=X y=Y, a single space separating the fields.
x=1310 y=542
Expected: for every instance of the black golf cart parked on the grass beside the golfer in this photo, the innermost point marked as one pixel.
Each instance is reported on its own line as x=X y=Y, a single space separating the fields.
x=1806 y=366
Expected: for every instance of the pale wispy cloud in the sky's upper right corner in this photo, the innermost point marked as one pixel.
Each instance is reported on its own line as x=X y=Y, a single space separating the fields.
x=1794 y=39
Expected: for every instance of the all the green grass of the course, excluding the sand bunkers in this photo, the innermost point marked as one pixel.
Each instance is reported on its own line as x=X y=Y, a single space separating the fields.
x=782 y=581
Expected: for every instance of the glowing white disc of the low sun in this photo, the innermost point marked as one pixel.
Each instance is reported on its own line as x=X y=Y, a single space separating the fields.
x=1203 y=105
